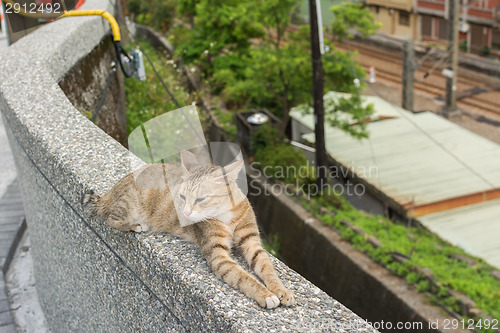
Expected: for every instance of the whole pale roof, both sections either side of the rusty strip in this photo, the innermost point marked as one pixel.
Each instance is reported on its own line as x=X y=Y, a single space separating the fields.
x=423 y=159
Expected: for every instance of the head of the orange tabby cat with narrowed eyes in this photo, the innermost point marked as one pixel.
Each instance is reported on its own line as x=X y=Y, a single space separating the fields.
x=206 y=192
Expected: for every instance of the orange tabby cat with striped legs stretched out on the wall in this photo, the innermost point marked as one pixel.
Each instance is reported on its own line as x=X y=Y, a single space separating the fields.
x=140 y=202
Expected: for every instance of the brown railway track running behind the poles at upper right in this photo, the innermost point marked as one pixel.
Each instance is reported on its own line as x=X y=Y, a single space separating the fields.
x=389 y=68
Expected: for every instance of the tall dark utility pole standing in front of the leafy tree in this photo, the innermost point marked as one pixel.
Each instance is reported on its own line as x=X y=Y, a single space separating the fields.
x=319 y=110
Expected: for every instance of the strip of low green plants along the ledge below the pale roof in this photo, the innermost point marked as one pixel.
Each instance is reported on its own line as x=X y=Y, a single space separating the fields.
x=424 y=249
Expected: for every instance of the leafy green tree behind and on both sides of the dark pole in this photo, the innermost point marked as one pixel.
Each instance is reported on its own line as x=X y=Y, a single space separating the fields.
x=273 y=71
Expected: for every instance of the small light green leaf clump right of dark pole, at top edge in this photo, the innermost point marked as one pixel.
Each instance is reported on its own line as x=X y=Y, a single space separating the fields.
x=349 y=16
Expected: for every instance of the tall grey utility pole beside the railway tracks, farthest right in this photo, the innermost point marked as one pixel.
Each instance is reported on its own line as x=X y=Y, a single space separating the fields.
x=452 y=73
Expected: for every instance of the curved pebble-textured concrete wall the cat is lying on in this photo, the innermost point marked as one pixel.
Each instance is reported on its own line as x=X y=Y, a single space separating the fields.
x=89 y=276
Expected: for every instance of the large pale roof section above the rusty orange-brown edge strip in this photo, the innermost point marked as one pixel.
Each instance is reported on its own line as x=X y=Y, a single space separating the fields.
x=412 y=167
